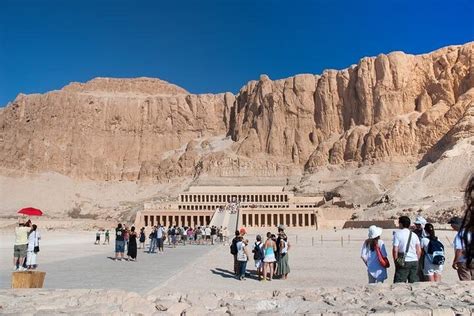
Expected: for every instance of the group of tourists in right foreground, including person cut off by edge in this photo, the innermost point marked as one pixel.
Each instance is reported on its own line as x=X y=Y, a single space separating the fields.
x=418 y=254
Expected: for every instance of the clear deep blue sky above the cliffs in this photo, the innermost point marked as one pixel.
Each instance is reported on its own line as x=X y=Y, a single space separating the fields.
x=211 y=45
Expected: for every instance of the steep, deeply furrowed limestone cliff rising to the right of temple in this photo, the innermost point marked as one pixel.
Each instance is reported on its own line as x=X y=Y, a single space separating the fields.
x=390 y=106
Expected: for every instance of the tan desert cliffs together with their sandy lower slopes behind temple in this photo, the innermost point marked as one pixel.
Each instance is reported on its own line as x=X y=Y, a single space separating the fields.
x=396 y=128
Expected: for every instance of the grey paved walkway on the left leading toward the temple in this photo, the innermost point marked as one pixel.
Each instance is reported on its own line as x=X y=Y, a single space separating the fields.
x=99 y=271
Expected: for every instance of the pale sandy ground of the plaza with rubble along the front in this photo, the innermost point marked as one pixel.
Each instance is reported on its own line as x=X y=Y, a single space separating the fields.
x=325 y=276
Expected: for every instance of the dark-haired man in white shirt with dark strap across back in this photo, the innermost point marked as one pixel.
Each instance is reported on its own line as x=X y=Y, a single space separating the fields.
x=408 y=272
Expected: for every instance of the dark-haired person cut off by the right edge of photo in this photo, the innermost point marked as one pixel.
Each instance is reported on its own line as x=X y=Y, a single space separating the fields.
x=464 y=244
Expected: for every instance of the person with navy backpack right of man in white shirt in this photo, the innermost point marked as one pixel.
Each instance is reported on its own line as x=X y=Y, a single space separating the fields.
x=433 y=254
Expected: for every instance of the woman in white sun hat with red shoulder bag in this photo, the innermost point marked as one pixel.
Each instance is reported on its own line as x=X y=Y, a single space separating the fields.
x=377 y=273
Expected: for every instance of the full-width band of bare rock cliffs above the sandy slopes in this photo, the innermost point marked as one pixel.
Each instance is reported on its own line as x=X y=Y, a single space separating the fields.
x=388 y=107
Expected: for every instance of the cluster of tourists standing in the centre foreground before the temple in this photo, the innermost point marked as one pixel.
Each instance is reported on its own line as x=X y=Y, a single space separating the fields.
x=270 y=256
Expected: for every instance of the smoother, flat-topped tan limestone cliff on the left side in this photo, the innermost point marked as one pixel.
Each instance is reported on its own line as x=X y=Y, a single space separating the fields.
x=105 y=129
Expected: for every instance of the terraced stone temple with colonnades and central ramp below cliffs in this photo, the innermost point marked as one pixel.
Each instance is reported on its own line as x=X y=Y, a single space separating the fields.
x=234 y=206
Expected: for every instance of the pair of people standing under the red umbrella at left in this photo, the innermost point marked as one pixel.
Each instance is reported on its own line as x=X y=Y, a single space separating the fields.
x=27 y=237
